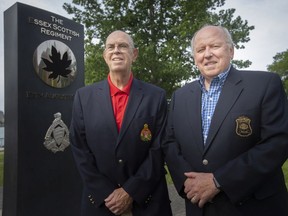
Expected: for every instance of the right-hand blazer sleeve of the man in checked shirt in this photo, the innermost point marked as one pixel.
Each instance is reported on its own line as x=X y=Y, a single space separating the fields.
x=259 y=167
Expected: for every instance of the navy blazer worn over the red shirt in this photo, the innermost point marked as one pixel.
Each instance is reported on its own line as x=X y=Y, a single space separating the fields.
x=108 y=160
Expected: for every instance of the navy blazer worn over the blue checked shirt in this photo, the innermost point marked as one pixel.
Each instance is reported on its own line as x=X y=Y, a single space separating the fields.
x=245 y=148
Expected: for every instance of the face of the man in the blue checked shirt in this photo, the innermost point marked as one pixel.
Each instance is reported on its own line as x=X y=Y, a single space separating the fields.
x=212 y=53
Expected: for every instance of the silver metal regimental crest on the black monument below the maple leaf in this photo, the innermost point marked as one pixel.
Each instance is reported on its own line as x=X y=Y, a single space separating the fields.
x=57 y=136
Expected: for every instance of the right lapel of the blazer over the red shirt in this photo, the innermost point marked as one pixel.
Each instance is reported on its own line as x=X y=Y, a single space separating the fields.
x=135 y=98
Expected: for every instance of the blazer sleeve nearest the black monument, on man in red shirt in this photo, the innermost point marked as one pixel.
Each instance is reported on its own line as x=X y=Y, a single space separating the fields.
x=93 y=180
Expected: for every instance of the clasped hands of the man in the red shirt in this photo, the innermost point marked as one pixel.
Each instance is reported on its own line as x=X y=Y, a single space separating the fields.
x=119 y=201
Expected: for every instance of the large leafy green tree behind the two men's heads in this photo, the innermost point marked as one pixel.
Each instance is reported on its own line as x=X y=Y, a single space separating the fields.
x=162 y=30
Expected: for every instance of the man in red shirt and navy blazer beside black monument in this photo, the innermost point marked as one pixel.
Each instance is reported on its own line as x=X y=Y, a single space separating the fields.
x=115 y=133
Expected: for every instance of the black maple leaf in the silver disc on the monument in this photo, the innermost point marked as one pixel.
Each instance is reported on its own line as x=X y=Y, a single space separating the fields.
x=58 y=66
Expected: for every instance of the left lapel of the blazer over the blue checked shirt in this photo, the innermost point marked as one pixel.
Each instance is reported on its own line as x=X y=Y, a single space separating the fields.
x=193 y=105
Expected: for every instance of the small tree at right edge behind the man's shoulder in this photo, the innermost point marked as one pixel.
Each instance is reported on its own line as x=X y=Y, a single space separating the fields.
x=280 y=66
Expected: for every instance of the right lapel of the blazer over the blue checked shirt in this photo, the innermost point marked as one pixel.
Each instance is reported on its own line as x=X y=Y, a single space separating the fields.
x=229 y=94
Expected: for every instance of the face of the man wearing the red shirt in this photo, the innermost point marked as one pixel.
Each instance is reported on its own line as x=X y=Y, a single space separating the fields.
x=118 y=53
